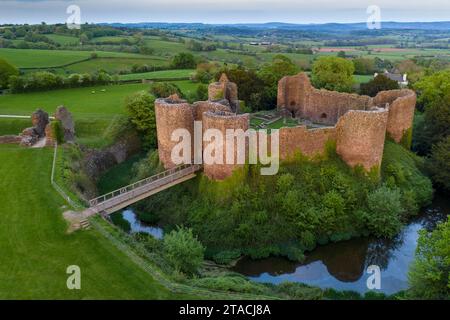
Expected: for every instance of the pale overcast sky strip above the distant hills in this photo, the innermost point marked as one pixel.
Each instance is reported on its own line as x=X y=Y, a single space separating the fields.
x=219 y=11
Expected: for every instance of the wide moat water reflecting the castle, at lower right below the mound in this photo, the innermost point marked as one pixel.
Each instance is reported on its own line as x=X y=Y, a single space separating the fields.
x=343 y=265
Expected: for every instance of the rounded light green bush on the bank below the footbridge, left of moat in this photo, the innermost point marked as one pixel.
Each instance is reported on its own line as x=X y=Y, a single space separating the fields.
x=183 y=251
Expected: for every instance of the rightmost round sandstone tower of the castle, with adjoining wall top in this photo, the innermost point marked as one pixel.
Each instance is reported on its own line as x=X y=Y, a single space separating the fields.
x=402 y=104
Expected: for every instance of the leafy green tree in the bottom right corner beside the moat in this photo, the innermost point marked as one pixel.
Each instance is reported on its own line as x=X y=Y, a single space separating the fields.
x=429 y=276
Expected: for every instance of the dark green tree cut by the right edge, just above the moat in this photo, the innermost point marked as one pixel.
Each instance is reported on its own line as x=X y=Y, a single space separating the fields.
x=439 y=164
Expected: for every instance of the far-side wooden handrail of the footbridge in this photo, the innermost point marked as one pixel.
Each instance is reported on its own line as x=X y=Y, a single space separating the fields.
x=141 y=183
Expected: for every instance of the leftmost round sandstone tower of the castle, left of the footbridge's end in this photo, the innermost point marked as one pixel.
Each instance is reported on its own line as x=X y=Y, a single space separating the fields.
x=171 y=114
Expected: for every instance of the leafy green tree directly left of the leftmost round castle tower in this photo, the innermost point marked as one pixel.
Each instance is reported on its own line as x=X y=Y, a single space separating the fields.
x=141 y=110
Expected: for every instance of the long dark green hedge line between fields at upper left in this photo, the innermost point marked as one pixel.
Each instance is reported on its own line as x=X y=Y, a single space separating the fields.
x=41 y=81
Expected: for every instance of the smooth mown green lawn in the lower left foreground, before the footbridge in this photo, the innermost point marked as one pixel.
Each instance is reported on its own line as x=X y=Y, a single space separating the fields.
x=35 y=249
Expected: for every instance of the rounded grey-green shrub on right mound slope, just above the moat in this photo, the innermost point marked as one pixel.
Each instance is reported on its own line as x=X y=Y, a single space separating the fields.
x=384 y=212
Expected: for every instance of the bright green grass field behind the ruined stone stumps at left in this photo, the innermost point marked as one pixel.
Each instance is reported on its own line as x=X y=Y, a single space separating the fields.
x=93 y=112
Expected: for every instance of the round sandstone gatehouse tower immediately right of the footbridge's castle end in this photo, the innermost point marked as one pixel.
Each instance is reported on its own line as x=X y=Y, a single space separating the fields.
x=221 y=121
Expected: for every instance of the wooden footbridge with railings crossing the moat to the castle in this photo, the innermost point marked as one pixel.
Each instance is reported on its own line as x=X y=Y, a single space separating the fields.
x=125 y=196
